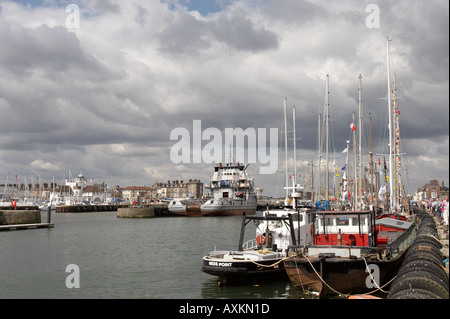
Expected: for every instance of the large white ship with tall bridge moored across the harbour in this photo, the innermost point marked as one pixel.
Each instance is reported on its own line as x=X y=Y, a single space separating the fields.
x=233 y=192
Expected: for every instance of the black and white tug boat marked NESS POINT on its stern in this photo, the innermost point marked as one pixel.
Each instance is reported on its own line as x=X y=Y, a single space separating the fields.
x=261 y=258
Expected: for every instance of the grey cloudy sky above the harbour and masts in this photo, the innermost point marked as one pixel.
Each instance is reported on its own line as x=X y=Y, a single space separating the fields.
x=101 y=85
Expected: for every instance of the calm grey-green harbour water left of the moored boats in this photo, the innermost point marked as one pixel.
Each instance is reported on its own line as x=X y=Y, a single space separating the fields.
x=124 y=258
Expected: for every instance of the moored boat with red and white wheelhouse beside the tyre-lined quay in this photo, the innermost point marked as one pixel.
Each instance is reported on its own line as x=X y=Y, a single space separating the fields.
x=353 y=252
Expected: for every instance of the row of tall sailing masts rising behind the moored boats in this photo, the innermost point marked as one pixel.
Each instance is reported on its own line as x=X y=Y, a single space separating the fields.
x=360 y=199
